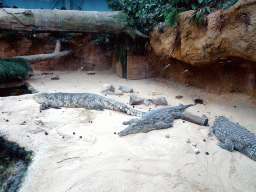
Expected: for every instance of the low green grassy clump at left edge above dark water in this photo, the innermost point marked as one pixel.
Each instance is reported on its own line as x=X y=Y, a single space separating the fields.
x=13 y=69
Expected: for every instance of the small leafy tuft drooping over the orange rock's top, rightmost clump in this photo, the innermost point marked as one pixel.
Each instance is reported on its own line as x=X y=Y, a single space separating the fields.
x=200 y=15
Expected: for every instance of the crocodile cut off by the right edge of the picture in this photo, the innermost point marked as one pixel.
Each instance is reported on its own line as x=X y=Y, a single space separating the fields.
x=233 y=136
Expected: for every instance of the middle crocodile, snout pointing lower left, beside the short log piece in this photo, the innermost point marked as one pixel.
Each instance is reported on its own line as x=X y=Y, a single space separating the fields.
x=153 y=120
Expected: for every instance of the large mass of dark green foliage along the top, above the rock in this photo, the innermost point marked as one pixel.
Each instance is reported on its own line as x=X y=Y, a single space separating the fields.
x=145 y=14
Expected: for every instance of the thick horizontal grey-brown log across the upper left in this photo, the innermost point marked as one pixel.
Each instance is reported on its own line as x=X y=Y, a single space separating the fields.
x=44 y=20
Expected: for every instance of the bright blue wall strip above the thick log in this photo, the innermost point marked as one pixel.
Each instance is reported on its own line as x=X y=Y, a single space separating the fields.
x=85 y=5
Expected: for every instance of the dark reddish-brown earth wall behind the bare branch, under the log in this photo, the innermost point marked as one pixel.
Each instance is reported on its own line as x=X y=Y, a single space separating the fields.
x=84 y=52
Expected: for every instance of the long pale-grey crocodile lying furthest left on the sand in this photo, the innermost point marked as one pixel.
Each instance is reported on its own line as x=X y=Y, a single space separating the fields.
x=82 y=100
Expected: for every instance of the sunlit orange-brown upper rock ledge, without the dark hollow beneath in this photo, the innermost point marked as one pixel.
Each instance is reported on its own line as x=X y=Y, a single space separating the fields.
x=228 y=33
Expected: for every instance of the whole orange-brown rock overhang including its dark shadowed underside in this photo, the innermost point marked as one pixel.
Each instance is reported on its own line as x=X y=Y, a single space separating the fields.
x=219 y=56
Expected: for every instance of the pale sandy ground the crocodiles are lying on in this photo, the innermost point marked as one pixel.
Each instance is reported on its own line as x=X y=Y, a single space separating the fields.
x=103 y=161
